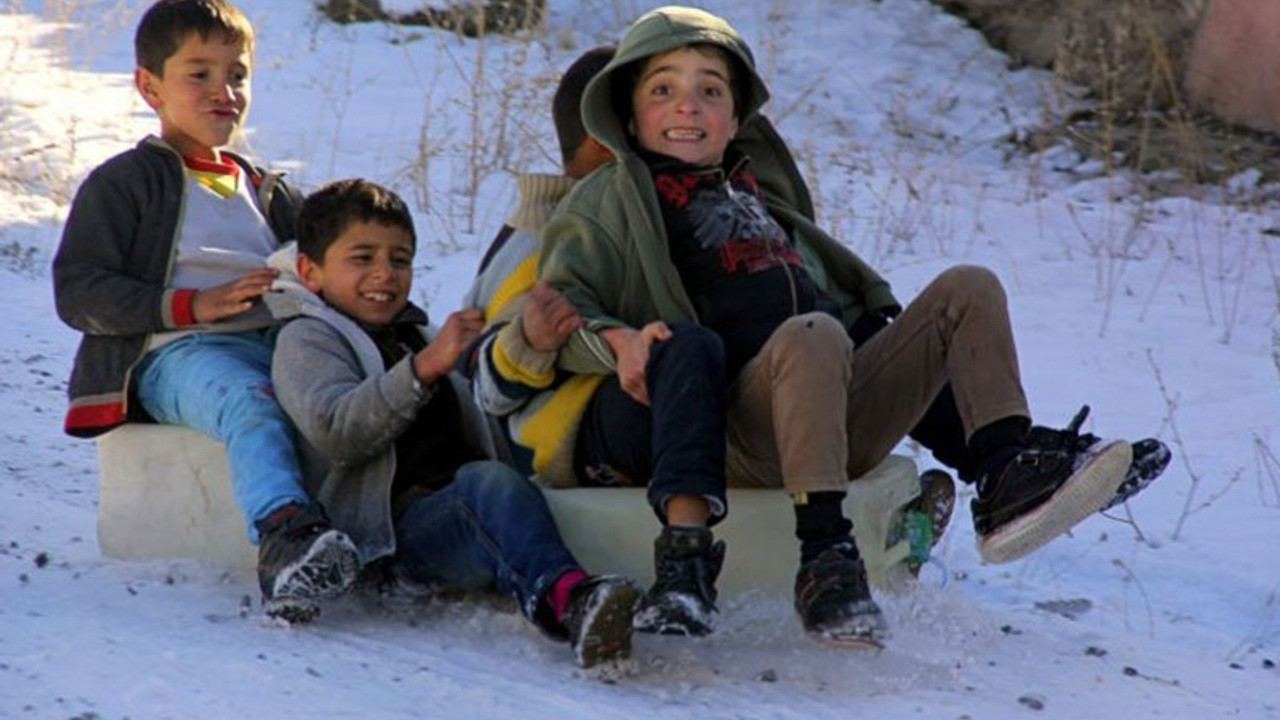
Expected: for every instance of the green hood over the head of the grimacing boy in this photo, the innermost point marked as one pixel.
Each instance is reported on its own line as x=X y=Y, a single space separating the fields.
x=607 y=99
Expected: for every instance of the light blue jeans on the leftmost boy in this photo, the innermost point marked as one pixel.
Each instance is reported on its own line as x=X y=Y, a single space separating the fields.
x=221 y=385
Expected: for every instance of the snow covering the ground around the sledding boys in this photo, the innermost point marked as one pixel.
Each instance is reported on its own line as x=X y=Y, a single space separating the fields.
x=1162 y=313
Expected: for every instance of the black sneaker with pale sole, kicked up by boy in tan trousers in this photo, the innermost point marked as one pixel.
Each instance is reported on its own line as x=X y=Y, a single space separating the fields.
x=1044 y=493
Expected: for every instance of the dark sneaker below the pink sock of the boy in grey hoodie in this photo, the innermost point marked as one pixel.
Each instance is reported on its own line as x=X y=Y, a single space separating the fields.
x=598 y=619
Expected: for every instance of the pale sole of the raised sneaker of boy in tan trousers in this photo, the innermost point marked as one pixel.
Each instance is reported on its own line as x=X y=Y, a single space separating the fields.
x=1091 y=487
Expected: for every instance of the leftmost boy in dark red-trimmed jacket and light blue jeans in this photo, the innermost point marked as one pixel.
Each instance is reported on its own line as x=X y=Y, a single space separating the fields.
x=162 y=267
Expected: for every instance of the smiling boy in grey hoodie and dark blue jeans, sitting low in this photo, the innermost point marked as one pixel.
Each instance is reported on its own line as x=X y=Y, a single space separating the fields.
x=400 y=452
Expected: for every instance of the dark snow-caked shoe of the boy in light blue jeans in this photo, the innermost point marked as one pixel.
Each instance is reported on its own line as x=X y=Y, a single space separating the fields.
x=303 y=559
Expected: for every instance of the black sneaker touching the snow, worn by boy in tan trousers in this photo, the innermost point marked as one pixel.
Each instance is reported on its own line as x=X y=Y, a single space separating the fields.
x=835 y=604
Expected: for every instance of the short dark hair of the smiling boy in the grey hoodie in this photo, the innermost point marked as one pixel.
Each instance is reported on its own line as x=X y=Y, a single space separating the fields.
x=328 y=212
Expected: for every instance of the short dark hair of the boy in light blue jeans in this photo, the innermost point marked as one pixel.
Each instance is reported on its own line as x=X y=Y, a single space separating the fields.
x=167 y=25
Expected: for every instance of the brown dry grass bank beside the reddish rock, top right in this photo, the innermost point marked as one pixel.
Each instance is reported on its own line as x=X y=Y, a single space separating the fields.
x=1121 y=66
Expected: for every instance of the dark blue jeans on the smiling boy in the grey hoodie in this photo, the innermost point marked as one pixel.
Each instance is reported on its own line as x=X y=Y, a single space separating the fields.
x=488 y=528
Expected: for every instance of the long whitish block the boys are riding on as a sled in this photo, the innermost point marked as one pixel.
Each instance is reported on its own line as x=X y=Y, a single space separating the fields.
x=164 y=494
